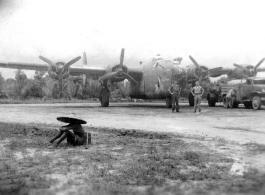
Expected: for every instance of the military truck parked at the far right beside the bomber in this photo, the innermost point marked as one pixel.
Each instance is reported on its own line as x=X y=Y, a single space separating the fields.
x=250 y=92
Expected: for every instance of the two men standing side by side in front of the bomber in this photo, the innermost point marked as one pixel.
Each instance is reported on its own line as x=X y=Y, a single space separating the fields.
x=175 y=90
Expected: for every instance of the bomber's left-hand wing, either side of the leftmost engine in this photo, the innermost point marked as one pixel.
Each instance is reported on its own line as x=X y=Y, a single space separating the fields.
x=75 y=70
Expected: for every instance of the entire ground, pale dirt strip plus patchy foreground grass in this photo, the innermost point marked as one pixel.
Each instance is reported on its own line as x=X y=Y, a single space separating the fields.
x=135 y=146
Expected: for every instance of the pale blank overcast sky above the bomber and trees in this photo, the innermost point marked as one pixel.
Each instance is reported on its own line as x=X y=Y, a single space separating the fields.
x=215 y=33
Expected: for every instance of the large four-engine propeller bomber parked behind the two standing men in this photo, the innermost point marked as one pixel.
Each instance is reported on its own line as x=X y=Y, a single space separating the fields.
x=150 y=81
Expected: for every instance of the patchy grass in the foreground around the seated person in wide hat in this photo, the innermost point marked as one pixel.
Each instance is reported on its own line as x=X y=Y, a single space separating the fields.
x=124 y=162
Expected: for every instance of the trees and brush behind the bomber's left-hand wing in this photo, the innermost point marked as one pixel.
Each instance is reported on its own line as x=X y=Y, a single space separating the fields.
x=43 y=87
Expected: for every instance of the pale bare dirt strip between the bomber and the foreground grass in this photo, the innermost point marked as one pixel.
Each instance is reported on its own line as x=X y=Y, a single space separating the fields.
x=240 y=125
